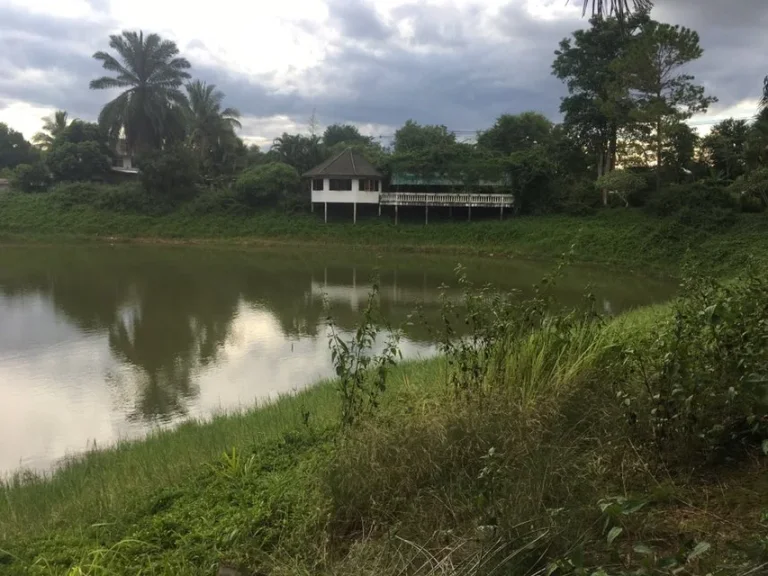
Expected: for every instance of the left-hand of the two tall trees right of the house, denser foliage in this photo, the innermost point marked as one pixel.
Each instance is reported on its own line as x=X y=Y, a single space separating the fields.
x=598 y=106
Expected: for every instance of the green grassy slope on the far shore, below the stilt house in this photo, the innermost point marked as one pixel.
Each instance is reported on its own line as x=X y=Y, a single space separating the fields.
x=626 y=238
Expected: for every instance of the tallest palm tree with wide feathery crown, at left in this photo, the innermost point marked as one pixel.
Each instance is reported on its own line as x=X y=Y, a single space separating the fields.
x=152 y=73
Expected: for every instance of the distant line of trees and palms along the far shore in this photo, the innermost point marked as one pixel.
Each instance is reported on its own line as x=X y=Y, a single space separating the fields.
x=624 y=139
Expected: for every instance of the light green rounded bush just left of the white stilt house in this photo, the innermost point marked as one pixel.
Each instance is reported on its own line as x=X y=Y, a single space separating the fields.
x=268 y=184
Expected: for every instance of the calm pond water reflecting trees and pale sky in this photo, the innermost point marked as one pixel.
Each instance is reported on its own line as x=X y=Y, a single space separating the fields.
x=102 y=343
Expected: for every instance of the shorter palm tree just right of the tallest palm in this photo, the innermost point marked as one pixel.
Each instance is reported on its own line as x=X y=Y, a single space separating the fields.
x=210 y=128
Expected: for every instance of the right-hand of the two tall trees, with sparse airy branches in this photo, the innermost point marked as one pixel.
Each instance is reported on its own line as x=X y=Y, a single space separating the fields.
x=663 y=93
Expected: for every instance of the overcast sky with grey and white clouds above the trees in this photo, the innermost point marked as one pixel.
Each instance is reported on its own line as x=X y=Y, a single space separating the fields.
x=374 y=64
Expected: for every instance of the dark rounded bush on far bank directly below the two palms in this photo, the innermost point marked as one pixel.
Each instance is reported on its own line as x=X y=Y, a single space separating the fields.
x=170 y=175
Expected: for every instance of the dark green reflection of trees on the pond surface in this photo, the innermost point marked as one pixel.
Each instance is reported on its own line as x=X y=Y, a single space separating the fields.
x=169 y=312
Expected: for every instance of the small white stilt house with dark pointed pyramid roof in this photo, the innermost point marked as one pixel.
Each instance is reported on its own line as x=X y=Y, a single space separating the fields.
x=346 y=178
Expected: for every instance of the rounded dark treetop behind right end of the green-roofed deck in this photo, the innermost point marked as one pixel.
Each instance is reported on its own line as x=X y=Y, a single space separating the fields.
x=512 y=133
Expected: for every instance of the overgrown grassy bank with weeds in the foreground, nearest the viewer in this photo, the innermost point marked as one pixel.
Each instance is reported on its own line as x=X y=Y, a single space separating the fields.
x=558 y=445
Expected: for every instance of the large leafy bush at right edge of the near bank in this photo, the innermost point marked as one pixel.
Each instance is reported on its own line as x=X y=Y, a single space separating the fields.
x=704 y=390
